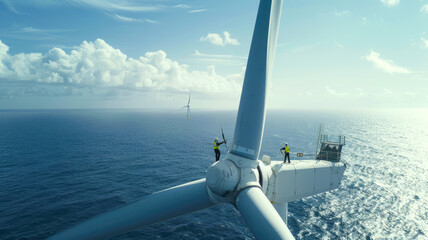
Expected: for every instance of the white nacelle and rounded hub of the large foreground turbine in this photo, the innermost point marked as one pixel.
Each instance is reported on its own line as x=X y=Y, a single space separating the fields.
x=281 y=183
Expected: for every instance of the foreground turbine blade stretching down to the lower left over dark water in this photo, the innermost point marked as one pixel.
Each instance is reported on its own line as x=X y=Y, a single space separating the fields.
x=153 y=208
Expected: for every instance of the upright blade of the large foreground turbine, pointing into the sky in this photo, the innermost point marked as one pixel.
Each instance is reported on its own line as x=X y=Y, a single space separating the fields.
x=249 y=126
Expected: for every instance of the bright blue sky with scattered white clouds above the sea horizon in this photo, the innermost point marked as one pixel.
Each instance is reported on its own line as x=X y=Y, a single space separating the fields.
x=335 y=54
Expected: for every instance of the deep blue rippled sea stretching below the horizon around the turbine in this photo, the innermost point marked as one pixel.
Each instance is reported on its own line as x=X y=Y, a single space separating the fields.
x=58 y=168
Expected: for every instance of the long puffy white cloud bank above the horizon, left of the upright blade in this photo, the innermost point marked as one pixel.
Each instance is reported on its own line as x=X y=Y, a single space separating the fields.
x=98 y=65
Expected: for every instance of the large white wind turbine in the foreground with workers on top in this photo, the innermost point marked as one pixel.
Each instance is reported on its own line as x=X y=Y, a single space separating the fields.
x=259 y=189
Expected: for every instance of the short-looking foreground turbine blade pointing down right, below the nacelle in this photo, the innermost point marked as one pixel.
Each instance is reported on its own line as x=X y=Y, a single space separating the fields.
x=261 y=217
